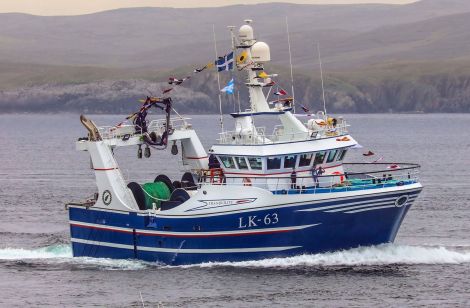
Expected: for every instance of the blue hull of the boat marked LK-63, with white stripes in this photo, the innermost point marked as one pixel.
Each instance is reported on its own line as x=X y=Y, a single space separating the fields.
x=275 y=231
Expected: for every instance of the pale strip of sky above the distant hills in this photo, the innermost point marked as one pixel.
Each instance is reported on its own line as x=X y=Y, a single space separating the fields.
x=77 y=7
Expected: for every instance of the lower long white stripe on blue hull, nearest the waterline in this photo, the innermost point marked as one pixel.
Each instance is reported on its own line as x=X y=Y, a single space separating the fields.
x=177 y=250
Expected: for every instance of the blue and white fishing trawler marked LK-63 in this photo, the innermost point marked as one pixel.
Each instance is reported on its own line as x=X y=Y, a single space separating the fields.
x=250 y=196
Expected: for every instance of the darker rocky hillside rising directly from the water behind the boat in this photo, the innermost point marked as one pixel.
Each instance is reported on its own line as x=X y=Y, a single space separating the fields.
x=393 y=87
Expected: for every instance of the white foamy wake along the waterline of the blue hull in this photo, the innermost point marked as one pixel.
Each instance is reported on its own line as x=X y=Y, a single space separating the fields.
x=366 y=256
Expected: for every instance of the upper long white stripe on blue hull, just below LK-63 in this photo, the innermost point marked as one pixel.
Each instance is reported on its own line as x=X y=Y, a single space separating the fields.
x=190 y=234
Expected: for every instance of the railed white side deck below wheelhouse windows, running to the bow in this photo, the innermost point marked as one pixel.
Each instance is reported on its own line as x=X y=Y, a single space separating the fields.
x=387 y=175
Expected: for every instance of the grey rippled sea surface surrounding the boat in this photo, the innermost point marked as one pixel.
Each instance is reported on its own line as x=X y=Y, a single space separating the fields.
x=429 y=265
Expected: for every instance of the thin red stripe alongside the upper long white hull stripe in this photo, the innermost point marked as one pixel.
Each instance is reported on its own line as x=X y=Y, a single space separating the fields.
x=182 y=235
